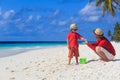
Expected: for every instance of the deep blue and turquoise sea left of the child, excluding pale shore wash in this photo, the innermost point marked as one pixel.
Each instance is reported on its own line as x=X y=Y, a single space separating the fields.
x=13 y=44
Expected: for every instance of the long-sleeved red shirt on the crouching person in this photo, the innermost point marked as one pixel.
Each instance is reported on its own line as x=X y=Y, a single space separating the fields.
x=103 y=43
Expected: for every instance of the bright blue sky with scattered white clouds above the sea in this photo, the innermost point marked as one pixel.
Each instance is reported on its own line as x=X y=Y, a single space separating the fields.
x=49 y=20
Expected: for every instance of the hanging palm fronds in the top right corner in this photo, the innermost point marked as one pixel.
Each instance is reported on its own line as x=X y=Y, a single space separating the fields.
x=108 y=5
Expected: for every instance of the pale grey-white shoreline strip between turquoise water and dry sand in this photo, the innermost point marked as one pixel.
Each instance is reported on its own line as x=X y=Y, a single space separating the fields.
x=6 y=52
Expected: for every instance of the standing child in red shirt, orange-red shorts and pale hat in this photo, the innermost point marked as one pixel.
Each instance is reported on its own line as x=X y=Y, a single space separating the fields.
x=72 y=43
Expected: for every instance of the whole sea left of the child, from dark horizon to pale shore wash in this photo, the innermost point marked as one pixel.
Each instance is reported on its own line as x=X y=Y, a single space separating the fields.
x=13 y=48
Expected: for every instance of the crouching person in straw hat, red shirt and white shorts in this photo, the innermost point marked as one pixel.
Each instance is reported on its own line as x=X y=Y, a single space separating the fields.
x=102 y=47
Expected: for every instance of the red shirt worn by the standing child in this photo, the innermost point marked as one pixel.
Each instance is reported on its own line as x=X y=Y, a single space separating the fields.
x=73 y=39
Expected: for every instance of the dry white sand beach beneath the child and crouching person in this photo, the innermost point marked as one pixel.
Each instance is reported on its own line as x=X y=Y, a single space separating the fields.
x=51 y=64
